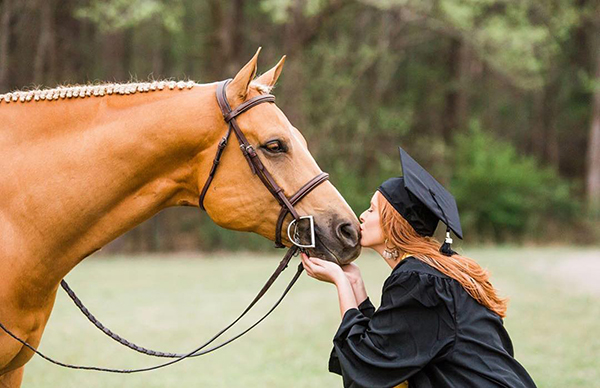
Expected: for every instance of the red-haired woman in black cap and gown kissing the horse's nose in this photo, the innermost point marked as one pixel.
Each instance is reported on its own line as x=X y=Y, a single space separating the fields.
x=440 y=319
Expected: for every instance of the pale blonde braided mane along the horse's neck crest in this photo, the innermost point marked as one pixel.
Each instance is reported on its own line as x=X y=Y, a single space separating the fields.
x=82 y=91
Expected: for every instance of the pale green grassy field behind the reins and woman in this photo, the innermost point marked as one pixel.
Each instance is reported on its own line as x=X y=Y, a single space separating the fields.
x=173 y=303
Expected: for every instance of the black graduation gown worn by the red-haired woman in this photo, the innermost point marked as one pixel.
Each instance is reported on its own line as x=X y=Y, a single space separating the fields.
x=429 y=331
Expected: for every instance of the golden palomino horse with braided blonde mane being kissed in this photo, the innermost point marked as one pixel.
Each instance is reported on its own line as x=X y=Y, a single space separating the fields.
x=83 y=165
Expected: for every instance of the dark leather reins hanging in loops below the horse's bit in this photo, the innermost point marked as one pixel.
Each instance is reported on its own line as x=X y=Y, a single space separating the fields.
x=178 y=356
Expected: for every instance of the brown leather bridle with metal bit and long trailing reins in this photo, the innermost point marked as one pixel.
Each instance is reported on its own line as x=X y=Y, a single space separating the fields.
x=287 y=207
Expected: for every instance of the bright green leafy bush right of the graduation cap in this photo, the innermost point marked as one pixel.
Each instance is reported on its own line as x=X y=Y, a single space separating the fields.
x=501 y=194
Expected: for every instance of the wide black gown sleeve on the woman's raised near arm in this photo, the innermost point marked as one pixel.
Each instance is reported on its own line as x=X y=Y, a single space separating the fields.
x=414 y=325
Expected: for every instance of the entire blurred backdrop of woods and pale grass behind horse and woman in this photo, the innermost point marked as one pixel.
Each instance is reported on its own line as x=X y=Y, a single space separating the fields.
x=499 y=100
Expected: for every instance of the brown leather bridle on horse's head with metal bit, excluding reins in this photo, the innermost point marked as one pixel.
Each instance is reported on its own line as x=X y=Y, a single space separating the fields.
x=259 y=169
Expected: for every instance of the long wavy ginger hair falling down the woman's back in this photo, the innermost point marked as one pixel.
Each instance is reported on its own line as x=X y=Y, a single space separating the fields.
x=473 y=278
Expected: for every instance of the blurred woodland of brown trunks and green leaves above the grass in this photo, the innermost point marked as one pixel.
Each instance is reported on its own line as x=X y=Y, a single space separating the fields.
x=500 y=100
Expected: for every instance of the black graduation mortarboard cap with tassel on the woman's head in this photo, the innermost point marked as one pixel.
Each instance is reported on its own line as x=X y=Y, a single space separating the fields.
x=422 y=201
